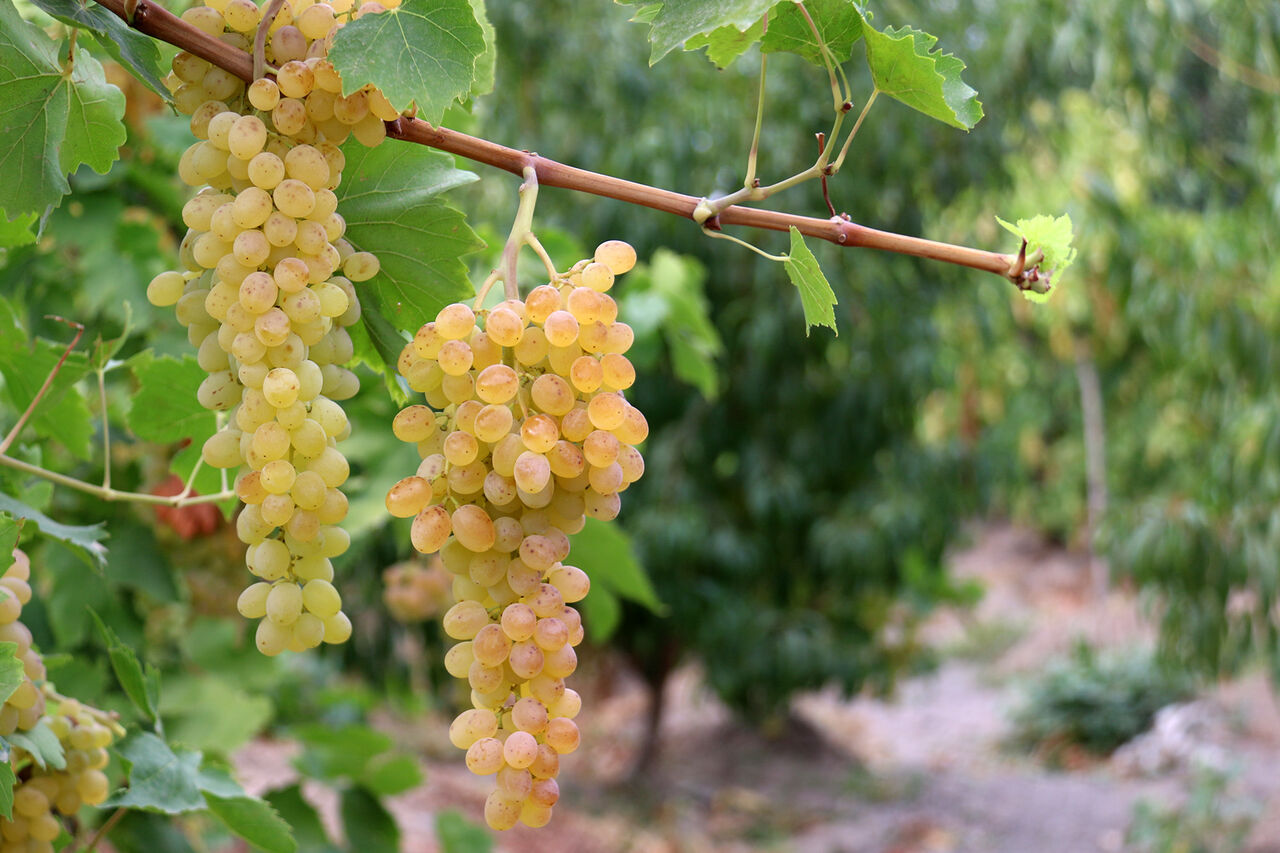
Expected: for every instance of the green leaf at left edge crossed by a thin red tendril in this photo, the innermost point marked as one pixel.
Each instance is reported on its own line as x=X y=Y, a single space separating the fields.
x=26 y=364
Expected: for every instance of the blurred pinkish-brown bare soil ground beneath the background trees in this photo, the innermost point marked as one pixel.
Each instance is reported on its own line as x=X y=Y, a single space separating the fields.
x=926 y=772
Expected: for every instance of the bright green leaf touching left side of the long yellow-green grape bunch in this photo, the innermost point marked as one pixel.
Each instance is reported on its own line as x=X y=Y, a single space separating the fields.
x=166 y=408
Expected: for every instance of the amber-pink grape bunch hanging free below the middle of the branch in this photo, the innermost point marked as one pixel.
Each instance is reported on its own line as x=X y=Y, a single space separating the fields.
x=527 y=432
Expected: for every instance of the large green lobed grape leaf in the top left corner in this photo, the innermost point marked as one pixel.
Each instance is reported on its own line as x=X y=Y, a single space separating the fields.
x=52 y=121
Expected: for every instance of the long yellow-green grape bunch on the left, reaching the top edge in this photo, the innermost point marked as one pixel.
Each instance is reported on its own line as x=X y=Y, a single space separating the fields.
x=262 y=297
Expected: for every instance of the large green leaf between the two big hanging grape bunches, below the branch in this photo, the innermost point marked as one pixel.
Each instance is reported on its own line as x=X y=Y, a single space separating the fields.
x=390 y=198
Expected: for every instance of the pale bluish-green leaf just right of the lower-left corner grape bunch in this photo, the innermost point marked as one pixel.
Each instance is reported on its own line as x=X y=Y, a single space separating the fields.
x=161 y=778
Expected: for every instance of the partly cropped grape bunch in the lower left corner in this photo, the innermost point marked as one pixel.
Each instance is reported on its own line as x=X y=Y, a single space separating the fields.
x=42 y=790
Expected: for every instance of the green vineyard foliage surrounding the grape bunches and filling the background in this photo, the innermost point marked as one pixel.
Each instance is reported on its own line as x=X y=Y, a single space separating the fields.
x=801 y=490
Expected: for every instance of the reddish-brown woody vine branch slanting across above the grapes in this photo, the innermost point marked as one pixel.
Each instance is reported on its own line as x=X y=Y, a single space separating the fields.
x=156 y=21
